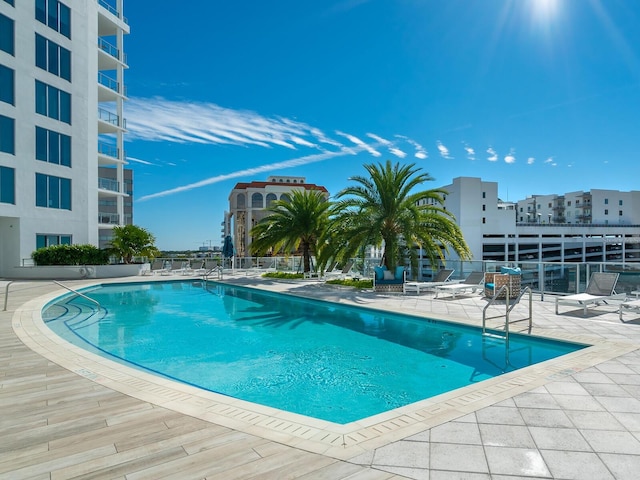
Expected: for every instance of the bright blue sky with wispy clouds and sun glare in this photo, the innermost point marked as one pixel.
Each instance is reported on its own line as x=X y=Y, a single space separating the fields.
x=541 y=96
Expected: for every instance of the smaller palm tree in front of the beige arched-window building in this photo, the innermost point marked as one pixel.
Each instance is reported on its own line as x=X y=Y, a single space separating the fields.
x=292 y=225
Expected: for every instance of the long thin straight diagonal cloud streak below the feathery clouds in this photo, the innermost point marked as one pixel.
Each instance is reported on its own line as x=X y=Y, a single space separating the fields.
x=295 y=162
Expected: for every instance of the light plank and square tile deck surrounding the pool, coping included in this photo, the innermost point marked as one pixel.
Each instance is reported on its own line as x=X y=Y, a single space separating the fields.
x=67 y=414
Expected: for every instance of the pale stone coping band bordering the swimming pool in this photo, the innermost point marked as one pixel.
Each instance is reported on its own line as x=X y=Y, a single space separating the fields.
x=306 y=433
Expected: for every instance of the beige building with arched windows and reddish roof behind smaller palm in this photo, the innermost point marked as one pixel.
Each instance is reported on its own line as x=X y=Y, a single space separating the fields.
x=248 y=203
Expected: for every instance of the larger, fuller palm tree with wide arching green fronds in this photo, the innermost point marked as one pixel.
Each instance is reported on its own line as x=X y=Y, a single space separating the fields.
x=382 y=210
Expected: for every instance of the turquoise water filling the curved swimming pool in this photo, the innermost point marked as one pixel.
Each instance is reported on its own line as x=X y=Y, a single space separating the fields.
x=324 y=360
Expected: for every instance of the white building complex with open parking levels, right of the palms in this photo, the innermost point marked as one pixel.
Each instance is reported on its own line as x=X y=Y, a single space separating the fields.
x=594 y=226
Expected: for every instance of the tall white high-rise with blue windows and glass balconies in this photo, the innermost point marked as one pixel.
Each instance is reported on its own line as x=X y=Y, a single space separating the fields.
x=62 y=91
